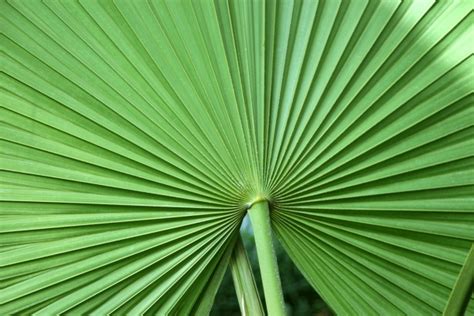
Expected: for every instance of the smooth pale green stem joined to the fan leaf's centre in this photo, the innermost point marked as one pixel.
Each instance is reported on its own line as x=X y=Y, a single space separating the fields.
x=260 y=218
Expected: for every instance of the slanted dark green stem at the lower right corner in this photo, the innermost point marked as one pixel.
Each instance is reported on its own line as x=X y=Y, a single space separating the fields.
x=462 y=290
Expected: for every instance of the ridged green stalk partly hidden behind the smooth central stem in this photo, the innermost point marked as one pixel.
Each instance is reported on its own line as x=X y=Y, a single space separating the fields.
x=244 y=282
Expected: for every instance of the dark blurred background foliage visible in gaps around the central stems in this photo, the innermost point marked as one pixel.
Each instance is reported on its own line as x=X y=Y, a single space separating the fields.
x=300 y=297
